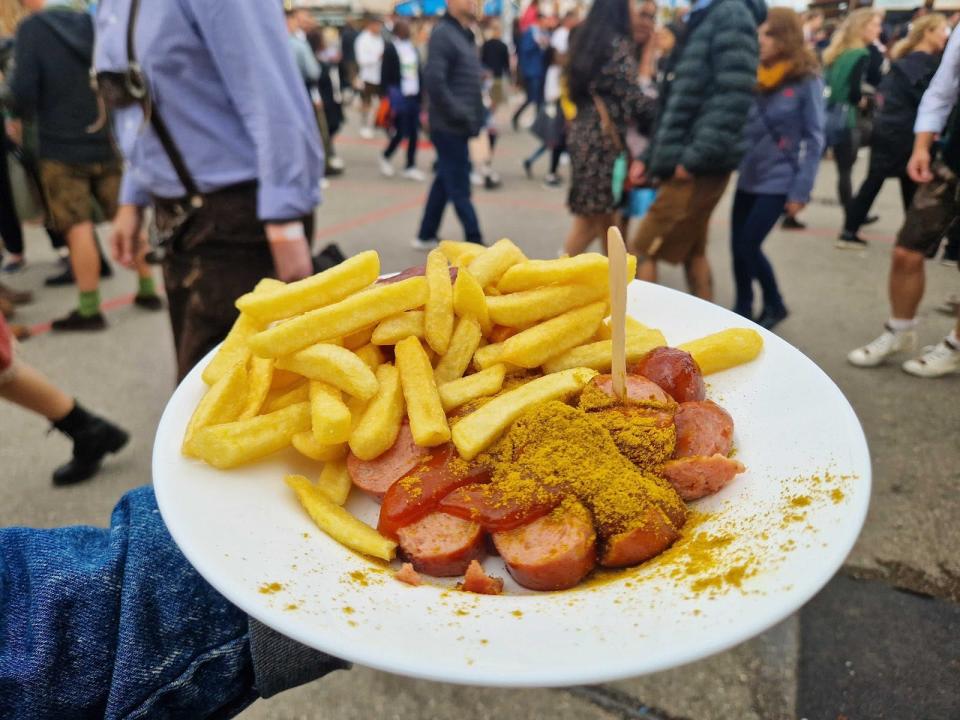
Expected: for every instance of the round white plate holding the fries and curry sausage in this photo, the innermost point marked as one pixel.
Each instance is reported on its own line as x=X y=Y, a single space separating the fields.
x=792 y=519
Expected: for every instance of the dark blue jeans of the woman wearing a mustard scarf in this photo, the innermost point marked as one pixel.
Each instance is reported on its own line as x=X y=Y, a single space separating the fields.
x=754 y=216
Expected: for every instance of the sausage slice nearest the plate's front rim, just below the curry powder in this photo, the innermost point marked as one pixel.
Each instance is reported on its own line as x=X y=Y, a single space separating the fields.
x=554 y=552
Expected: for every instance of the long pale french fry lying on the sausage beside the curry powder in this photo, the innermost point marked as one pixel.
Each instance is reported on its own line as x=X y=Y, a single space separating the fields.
x=478 y=430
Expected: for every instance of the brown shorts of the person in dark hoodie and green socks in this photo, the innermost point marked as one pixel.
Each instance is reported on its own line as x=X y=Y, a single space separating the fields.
x=75 y=192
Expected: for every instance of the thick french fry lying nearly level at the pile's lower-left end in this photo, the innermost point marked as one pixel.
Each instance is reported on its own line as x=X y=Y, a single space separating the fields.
x=242 y=441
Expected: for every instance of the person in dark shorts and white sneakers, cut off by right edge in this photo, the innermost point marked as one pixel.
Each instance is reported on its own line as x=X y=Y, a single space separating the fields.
x=934 y=211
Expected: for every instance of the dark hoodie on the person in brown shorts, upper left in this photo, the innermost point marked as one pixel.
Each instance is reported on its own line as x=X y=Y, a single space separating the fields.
x=51 y=83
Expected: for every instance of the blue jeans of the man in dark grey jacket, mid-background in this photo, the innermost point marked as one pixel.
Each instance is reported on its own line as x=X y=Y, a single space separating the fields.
x=452 y=183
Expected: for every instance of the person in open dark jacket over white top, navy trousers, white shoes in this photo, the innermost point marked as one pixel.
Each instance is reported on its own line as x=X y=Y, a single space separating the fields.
x=401 y=82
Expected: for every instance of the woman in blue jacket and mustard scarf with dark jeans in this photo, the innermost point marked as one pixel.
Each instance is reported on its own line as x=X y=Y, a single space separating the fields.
x=784 y=135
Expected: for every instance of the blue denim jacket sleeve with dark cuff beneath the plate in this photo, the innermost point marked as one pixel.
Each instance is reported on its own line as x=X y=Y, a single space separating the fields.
x=115 y=623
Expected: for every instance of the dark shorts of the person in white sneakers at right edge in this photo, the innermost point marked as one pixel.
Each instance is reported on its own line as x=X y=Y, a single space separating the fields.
x=934 y=210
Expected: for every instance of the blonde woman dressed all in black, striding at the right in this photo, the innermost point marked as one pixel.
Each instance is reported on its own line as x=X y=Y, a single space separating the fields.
x=898 y=96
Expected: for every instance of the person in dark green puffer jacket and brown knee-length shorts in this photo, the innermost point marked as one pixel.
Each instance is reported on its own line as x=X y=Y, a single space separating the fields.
x=705 y=95
